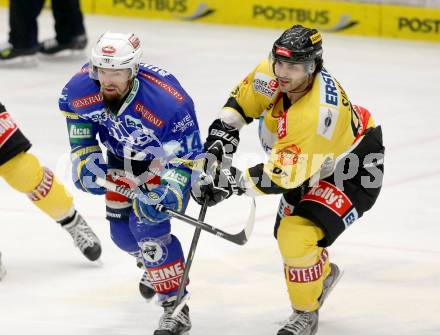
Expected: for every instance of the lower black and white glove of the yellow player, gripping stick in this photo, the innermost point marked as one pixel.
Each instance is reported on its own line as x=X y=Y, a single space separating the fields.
x=226 y=182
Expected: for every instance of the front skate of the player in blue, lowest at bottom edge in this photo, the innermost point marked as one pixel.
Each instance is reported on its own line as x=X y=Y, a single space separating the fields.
x=177 y=325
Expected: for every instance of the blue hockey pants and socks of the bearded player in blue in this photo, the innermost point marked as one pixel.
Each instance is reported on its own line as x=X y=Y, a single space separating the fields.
x=162 y=252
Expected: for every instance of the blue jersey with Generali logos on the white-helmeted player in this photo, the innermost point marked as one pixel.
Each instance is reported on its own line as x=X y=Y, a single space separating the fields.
x=156 y=120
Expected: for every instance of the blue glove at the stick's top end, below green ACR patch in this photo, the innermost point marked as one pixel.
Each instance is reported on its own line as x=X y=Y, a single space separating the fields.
x=88 y=164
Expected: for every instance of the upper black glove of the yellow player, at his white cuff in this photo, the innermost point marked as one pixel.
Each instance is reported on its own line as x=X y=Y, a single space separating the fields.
x=222 y=140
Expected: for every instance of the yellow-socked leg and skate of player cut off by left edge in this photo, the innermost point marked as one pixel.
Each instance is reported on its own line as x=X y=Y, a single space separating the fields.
x=23 y=172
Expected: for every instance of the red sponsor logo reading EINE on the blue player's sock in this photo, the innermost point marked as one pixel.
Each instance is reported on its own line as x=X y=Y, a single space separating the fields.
x=166 y=278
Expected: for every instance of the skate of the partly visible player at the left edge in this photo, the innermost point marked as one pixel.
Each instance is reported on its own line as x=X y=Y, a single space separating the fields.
x=83 y=236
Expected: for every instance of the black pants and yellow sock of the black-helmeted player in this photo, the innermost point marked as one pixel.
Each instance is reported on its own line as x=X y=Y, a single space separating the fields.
x=311 y=218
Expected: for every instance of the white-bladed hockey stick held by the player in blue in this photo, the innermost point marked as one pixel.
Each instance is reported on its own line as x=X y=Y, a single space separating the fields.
x=240 y=238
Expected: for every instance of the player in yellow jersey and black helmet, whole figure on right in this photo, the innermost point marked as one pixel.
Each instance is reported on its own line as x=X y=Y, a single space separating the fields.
x=325 y=156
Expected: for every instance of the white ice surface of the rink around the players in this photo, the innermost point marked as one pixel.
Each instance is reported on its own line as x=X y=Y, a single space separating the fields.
x=391 y=257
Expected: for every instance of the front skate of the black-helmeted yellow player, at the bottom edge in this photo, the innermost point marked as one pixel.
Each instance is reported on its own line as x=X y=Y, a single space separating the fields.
x=301 y=323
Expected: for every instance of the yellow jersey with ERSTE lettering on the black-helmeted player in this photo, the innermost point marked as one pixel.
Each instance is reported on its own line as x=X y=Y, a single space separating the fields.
x=299 y=138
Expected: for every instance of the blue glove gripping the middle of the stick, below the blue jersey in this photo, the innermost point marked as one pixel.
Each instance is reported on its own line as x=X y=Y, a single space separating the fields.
x=168 y=196
